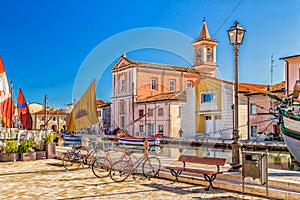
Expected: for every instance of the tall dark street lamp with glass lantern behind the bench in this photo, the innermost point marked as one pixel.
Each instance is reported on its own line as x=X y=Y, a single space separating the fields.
x=236 y=35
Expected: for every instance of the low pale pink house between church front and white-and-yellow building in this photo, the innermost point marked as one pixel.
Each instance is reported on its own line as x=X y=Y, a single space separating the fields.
x=159 y=114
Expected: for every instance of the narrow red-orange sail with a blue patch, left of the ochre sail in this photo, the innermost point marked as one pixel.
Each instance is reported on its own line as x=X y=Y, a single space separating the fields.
x=23 y=111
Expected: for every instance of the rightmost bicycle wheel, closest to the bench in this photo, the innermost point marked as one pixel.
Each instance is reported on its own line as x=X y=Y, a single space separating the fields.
x=151 y=167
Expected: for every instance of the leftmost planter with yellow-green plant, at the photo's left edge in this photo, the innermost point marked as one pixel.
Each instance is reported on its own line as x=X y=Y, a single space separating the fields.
x=10 y=151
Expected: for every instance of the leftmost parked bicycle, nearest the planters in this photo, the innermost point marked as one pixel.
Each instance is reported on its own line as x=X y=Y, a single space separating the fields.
x=75 y=158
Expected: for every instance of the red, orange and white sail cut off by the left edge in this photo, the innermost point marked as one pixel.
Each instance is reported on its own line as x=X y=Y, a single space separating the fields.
x=6 y=103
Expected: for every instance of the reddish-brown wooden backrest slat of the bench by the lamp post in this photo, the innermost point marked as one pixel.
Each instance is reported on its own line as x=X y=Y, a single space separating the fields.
x=202 y=160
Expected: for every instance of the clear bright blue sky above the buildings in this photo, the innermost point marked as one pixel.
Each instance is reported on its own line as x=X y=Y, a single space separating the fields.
x=46 y=45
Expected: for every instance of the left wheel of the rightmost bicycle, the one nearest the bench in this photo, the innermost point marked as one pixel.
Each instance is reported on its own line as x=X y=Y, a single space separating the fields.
x=120 y=170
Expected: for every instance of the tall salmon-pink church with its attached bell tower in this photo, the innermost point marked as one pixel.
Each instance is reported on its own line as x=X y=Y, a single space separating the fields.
x=134 y=81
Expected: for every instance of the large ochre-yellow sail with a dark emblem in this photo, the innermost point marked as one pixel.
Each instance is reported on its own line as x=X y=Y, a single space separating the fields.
x=84 y=113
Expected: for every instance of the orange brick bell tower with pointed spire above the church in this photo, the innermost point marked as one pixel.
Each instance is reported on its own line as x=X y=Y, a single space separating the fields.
x=205 y=52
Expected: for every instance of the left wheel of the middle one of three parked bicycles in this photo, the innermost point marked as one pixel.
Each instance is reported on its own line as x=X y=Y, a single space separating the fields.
x=101 y=167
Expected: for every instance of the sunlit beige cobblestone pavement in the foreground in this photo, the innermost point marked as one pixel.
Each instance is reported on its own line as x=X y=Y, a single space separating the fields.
x=47 y=179
